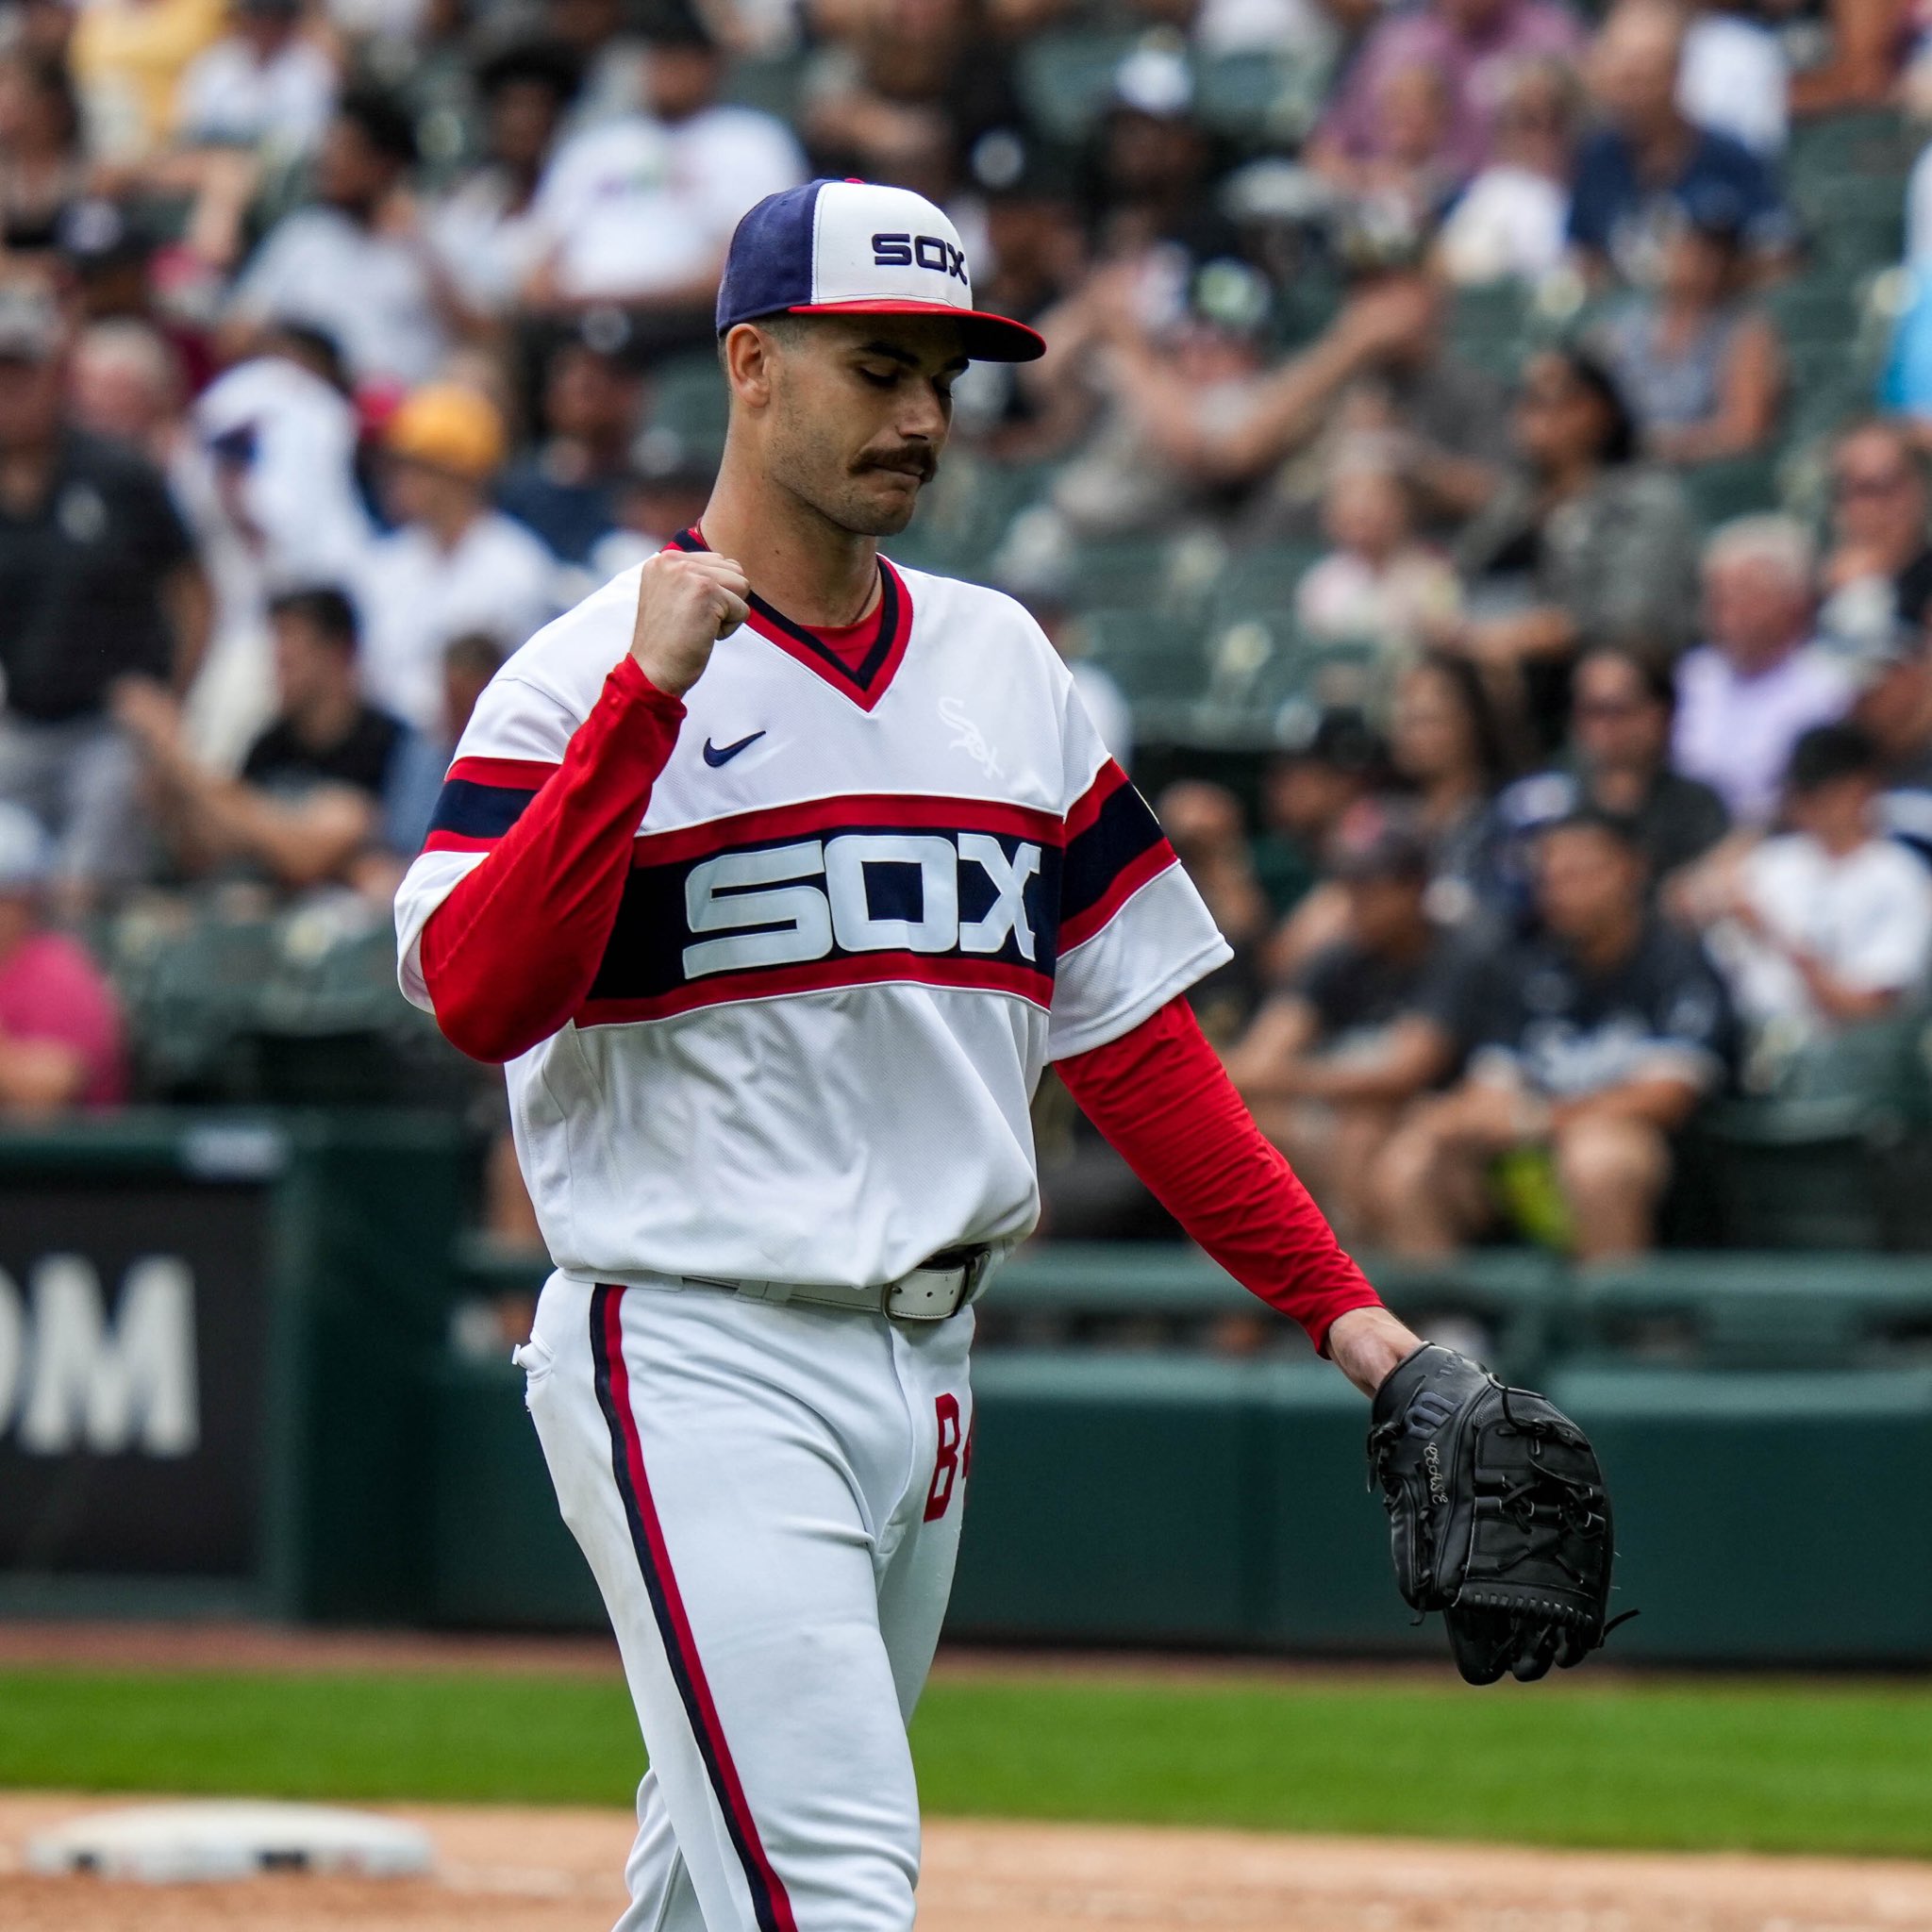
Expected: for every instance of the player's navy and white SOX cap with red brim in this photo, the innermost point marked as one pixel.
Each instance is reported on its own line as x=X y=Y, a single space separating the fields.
x=859 y=248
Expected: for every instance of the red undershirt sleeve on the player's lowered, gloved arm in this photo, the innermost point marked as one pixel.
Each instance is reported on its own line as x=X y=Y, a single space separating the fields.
x=1168 y=1108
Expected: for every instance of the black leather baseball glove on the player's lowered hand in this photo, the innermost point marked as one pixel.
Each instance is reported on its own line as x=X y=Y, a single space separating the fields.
x=1498 y=1516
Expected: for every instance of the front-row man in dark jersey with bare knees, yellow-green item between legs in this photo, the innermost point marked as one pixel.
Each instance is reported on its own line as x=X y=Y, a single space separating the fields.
x=1595 y=1044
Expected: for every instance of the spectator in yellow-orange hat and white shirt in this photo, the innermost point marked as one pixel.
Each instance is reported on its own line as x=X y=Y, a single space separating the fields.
x=453 y=565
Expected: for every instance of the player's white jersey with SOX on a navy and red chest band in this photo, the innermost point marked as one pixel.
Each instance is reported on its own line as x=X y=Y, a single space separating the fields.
x=865 y=911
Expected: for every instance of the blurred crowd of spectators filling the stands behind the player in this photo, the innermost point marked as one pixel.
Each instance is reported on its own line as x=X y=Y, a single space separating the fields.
x=347 y=341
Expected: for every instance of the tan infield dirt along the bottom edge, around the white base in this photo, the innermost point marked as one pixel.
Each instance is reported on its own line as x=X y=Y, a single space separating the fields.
x=557 y=1871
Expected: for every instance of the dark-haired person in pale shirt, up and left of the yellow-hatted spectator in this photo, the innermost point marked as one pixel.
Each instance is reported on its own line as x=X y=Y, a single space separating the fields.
x=351 y=264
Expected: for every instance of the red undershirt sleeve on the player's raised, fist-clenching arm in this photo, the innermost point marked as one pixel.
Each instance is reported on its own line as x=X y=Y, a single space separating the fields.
x=517 y=946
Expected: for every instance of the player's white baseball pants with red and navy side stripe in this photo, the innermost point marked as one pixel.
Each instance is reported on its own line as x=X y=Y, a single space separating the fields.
x=772 y=1502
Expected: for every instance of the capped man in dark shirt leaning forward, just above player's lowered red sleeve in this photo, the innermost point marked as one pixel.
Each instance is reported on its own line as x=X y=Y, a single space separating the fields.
x=1373 y=1021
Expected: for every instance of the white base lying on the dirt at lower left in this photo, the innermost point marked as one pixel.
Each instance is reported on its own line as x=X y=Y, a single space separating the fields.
x=171 y=1844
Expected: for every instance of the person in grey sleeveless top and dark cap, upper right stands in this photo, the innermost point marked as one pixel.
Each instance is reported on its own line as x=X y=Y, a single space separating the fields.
x=1697 y=360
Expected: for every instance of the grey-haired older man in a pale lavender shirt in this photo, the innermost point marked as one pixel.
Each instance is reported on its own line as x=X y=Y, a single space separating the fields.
x=1759 y=683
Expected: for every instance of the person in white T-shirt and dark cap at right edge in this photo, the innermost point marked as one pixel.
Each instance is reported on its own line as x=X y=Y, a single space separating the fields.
x=1829 y=924
